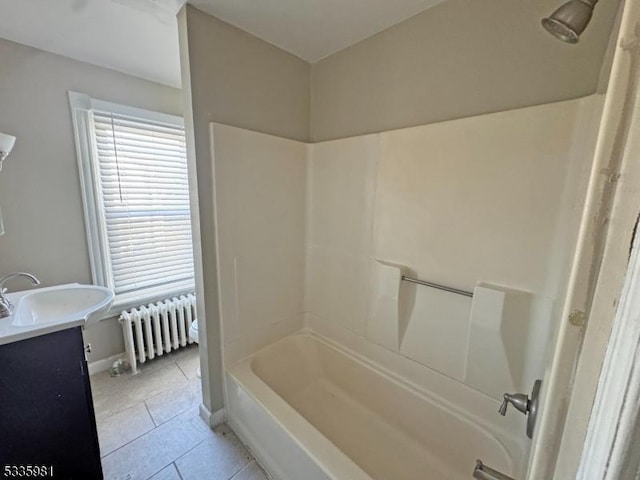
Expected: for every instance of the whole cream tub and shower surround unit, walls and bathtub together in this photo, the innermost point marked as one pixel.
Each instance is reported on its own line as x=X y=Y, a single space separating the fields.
x=314 y=238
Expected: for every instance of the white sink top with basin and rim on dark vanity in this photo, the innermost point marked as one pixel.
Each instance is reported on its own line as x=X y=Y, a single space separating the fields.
x=45 y=310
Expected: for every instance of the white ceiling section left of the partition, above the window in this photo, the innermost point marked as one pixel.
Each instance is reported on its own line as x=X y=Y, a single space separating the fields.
x=138 y=37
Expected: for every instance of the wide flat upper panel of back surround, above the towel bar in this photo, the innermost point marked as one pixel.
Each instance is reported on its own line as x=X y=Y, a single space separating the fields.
x=475 y=199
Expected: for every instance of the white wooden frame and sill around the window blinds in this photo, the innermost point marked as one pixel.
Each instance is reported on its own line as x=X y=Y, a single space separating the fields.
x=94 y=215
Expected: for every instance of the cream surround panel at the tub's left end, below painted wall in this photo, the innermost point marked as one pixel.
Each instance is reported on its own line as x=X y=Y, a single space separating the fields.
x=260 y=204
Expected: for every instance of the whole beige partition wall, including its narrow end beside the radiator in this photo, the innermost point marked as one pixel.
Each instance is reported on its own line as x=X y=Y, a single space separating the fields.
x=230 y=77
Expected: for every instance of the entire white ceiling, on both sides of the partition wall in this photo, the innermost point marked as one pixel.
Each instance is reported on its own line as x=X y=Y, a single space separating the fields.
x=139 y=37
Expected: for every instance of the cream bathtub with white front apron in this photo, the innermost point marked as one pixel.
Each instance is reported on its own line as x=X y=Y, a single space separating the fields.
x=311 y=410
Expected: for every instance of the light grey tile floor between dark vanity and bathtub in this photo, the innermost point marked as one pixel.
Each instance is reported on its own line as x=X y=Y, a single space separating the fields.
x=149 y=427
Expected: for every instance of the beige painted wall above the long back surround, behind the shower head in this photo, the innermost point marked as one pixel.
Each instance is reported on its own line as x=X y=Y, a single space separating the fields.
x=458 y=59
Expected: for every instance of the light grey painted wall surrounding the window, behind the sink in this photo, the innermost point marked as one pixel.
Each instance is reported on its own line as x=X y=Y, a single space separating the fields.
x=39 y=185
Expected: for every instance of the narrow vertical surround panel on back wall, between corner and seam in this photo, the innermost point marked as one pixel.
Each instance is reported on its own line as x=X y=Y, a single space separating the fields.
x=340 y=196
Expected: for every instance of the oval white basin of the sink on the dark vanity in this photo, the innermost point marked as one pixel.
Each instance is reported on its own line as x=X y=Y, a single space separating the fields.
x=61 y=304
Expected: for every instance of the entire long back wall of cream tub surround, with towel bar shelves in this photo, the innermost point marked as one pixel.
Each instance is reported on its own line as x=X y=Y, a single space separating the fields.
x=486 y=199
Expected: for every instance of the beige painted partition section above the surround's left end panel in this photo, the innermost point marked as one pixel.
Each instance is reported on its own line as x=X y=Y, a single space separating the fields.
x=242 y=81
